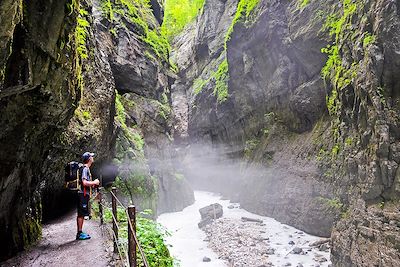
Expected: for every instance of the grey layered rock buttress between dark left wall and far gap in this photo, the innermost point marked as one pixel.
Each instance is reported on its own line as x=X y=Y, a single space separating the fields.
x=143 y=79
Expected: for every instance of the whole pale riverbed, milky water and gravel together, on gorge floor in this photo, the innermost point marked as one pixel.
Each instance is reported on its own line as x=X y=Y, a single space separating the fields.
x=189 y=245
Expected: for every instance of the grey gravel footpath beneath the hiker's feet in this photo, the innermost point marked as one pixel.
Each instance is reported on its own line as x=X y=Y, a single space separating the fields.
x=58 y=246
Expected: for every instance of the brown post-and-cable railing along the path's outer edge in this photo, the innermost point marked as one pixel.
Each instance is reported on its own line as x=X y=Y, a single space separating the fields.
x=133 y=241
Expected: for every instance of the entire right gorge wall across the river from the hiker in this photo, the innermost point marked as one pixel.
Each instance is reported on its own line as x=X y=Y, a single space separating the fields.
x=304 y=95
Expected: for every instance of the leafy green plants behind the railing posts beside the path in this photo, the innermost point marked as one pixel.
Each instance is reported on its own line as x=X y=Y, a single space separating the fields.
x=150 y=235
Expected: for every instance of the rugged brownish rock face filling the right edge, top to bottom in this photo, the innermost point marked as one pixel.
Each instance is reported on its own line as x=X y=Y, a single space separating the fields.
x=368 y=113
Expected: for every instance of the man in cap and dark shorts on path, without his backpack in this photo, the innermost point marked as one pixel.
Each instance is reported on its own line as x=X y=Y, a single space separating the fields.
x=84 y=194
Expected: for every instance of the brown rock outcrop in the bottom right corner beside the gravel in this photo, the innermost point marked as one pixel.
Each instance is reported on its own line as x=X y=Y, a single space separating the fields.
x=368 y=236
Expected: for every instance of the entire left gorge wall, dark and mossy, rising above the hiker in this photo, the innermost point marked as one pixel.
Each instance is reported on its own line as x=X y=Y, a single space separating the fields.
x=74 y=79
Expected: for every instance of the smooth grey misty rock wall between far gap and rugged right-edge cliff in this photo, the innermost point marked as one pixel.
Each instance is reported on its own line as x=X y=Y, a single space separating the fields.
x=275 y=93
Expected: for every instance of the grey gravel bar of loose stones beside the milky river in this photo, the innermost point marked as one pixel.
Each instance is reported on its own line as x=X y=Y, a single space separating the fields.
x=244 y=243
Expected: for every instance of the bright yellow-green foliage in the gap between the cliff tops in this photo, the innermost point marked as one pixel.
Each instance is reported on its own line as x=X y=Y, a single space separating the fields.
x=178 y=13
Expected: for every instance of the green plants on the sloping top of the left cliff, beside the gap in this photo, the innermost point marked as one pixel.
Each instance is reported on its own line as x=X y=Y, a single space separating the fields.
x=137 y=12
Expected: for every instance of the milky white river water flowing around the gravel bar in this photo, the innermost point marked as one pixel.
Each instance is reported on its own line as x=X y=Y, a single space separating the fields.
x=188 y=244
